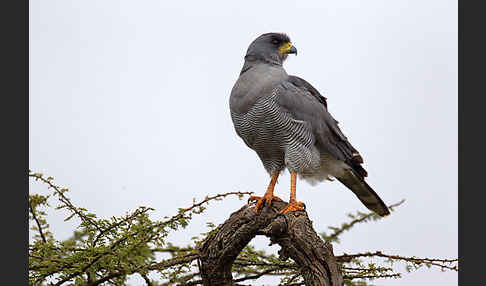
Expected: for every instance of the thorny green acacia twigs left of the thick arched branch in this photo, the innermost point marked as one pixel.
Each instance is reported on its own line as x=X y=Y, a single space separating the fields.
x=59 y=256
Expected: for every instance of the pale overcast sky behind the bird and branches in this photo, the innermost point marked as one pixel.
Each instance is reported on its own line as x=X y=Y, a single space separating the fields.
x=129 y=107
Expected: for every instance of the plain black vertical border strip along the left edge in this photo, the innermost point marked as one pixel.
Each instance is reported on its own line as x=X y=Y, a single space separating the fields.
x=15 y=134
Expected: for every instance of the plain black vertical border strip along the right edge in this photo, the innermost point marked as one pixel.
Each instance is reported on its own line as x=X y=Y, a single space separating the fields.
x=471 y=145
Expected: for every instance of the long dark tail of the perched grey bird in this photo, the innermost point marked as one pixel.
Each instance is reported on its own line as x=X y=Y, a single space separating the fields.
x=364 y=193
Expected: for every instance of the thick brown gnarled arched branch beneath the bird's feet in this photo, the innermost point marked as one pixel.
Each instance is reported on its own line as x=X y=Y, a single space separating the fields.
x=292 y=231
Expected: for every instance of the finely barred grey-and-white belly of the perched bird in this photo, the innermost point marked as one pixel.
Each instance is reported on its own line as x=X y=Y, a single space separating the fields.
x=279 y=140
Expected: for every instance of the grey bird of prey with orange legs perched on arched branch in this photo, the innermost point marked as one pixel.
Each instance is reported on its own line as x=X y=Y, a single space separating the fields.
x=286 y=121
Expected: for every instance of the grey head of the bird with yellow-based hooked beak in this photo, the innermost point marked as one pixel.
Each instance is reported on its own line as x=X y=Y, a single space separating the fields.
x=270 y=47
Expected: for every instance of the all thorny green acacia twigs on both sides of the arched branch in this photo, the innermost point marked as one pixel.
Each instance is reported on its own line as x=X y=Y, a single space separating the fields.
x=48 y=257
